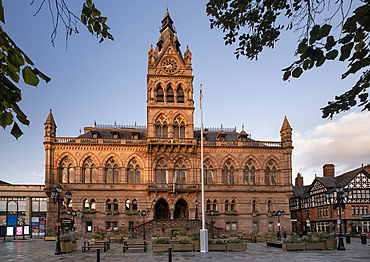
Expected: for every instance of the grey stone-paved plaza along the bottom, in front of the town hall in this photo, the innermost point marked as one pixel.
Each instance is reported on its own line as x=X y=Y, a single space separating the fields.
x=39 y=250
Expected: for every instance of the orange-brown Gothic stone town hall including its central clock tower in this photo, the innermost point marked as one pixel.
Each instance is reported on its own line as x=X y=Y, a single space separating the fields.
x=117 y=170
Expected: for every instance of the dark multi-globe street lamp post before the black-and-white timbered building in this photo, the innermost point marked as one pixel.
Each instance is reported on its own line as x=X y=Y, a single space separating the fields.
x=338 y=201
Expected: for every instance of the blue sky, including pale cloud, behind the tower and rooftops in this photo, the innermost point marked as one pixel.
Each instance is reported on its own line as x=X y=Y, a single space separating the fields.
x=106 y=83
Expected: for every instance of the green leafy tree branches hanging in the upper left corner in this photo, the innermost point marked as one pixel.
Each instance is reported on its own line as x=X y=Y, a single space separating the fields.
x=14 y=60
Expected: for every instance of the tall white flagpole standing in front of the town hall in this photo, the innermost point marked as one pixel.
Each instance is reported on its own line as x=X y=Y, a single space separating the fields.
x=203 y=231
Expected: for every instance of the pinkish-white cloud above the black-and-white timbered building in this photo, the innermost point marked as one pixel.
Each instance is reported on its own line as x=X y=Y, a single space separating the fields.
x=344 y=143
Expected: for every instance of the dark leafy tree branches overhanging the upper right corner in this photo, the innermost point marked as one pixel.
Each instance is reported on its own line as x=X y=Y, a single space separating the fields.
x=316 y=42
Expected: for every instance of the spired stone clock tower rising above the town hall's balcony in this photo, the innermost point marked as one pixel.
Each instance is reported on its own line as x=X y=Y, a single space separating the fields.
x=170 y=105
